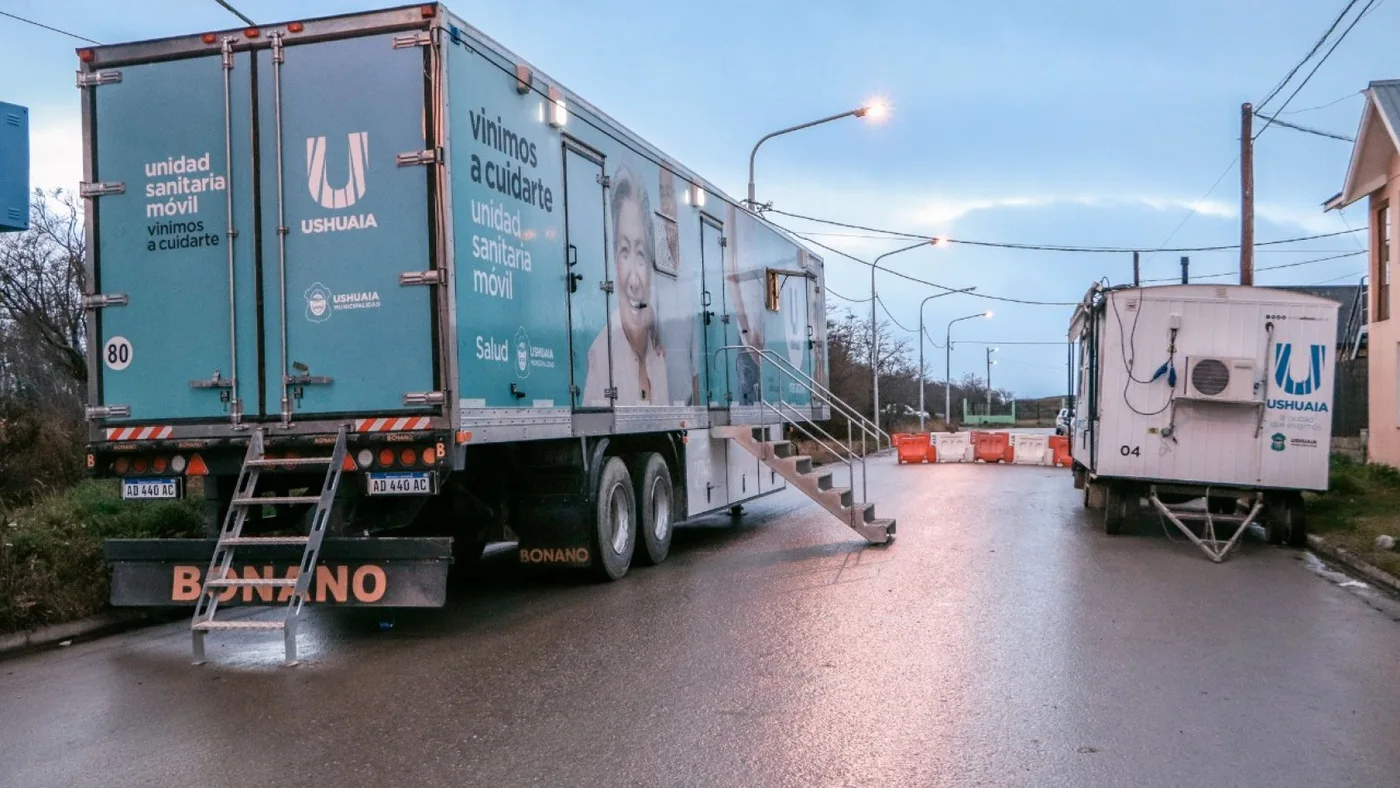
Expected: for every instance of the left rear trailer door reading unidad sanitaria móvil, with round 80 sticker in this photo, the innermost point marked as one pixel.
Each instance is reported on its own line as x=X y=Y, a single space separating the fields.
x=176 y=304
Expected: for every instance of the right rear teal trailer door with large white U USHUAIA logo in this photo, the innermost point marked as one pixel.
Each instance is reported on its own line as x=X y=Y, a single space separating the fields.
x=346 y=212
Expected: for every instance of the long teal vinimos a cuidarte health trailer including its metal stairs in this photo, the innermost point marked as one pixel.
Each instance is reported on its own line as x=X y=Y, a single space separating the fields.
x=391 y=295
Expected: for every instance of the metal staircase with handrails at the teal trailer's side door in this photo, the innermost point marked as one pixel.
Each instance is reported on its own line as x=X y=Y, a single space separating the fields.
x=797 y=470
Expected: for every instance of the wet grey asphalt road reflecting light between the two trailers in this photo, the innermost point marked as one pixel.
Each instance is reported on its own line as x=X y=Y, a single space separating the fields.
x=1003 y=640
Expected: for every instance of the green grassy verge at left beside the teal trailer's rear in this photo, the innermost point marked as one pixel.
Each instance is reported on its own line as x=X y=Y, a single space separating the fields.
x=51 y=552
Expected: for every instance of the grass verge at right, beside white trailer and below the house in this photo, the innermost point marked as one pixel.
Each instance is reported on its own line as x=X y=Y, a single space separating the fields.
x=1363 y=502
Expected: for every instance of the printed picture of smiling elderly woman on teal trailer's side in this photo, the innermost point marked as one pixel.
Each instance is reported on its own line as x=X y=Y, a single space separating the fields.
x=639 y=363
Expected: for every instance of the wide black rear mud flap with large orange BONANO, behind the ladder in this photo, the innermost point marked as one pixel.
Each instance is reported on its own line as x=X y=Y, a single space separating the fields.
x=365 y=573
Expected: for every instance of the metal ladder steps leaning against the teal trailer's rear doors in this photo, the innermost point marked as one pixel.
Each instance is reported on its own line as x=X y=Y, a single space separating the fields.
x=219 y=579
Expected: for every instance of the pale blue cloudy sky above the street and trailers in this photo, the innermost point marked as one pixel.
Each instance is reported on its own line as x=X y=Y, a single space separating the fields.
x=1079 y=122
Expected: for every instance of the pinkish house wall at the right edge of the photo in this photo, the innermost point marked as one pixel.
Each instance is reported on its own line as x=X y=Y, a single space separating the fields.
x=1384 y=359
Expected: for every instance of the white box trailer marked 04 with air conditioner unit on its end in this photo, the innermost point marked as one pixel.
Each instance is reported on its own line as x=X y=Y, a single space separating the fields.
x=1203 y=391
